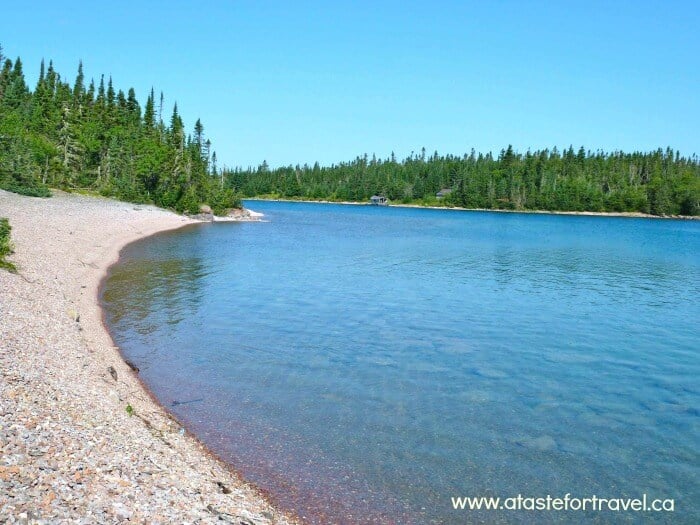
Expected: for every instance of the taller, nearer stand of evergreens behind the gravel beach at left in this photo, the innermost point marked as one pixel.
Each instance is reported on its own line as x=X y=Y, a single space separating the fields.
x=98 y=138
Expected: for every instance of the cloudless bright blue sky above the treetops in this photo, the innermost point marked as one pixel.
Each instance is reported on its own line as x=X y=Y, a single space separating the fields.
x=296 y=82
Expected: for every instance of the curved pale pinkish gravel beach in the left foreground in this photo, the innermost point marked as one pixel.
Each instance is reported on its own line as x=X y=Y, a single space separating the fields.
x=70 y=450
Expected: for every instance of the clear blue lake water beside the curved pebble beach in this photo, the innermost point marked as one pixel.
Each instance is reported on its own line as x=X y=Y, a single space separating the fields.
x=365 y=365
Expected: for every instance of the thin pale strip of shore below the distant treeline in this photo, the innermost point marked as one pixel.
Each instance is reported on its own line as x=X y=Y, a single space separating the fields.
x=629 y=215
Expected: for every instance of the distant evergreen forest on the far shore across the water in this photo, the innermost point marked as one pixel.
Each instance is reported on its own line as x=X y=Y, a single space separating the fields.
x=659 y=182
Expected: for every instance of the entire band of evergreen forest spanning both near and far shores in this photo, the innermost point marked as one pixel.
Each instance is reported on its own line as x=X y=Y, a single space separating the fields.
x=93 y=136
